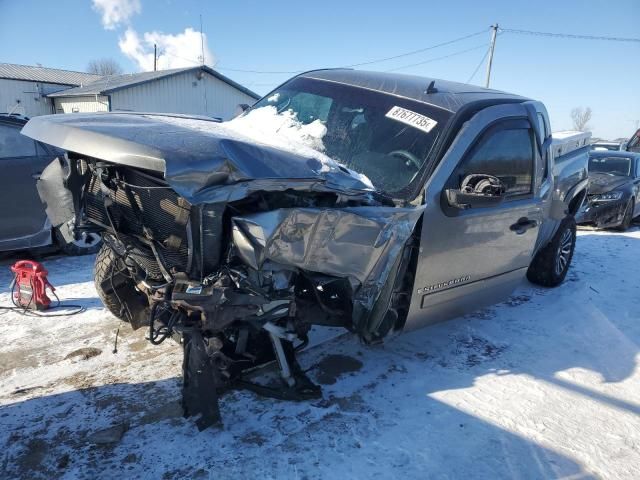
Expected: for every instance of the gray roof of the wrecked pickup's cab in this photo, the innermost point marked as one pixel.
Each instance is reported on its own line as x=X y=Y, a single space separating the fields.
x=450 y=95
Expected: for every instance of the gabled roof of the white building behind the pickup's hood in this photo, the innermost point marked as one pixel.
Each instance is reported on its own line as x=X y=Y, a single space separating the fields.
x=112 y=83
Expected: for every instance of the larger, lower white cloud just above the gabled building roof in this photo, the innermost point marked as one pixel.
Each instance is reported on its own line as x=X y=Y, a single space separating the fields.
x=174 y=51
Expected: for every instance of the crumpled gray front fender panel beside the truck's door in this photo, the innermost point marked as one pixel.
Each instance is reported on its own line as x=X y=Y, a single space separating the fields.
x=360 y=243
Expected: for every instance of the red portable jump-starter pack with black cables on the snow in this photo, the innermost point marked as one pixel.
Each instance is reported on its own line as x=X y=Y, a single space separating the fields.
x=30 y=284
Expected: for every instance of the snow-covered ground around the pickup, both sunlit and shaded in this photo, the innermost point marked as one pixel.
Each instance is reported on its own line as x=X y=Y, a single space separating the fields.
x=545 y=385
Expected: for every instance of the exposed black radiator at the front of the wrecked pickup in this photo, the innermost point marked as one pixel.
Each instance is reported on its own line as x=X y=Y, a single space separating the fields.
x=160 y=210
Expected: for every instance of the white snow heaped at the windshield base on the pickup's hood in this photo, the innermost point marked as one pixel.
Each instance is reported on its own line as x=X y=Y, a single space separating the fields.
x=279 y=130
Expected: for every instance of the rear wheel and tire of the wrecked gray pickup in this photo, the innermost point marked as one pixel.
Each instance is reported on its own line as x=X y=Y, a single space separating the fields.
x=551 y=264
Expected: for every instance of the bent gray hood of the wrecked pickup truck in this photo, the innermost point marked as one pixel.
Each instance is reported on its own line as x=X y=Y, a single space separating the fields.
x=197 y=156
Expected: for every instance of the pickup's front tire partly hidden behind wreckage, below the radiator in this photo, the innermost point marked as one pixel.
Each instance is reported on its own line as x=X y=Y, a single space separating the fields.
x=117 y=291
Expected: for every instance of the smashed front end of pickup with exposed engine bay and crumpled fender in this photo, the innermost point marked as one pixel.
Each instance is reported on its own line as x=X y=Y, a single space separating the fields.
x=240 y=283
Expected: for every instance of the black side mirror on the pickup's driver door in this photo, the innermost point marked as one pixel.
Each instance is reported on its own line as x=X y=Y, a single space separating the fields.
x=476 y=191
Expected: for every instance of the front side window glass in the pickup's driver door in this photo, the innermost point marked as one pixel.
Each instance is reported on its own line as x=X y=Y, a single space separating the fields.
x=506 y=153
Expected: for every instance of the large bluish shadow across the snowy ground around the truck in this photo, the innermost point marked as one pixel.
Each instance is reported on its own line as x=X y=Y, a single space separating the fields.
x=383 y=421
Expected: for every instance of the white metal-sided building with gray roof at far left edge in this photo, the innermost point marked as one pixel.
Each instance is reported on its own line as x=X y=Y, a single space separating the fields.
x=24 y=88
